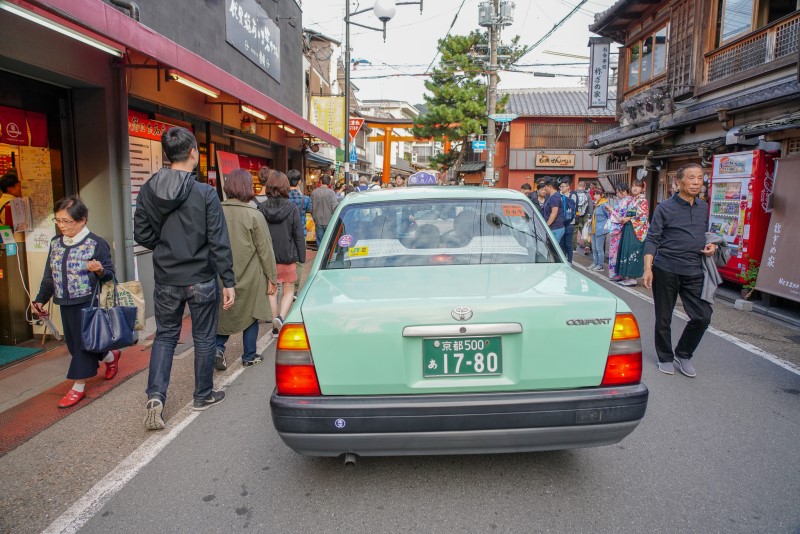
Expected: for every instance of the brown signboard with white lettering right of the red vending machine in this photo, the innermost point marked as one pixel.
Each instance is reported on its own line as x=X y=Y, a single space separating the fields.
x=779 y=273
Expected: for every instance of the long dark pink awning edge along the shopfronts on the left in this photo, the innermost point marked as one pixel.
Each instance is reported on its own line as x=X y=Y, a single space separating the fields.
x=99 y=17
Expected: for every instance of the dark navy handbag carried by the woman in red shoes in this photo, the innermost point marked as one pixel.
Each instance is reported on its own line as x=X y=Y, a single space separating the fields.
x=105 y=329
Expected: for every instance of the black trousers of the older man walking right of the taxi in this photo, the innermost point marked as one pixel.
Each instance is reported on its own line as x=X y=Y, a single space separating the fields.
x=666 y=288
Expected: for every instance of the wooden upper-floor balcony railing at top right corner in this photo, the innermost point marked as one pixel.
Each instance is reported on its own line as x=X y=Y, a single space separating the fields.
x=769 y=44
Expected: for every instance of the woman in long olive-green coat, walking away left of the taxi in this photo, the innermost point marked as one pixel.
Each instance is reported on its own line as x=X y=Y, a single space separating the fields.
x=253 y=265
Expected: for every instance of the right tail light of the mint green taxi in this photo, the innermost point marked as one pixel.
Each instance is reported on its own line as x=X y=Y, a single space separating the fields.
x=624 y=362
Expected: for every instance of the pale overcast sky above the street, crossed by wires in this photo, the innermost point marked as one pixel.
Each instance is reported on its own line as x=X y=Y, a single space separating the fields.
x=395 y=69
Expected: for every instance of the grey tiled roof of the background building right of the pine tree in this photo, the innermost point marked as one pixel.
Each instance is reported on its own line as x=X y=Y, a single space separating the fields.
x=556 y=102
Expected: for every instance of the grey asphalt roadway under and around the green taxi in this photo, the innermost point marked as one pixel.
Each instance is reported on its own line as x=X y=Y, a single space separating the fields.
x=718 y=453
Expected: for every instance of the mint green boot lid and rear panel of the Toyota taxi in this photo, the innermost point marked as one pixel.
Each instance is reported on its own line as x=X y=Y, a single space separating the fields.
x=355 y=321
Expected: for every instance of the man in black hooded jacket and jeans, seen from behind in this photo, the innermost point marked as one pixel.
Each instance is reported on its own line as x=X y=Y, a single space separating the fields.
x=181 y=221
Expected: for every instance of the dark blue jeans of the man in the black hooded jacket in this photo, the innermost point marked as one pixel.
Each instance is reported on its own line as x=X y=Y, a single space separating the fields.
x=170 y=301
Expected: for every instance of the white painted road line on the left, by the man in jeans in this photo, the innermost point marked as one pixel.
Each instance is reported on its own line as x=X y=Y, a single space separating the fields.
x=77 y=515
